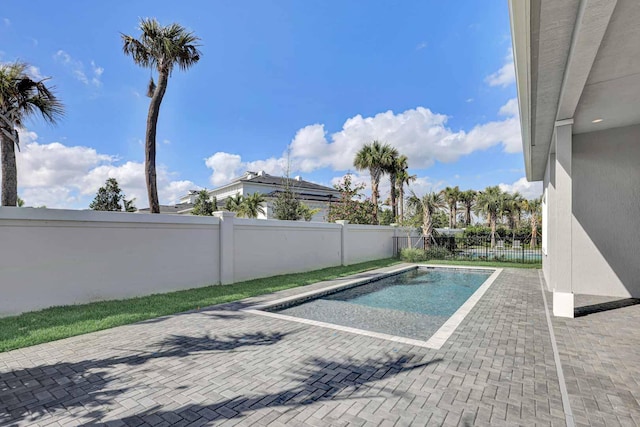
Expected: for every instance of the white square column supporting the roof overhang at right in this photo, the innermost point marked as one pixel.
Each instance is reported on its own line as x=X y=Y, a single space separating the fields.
x=563 y=299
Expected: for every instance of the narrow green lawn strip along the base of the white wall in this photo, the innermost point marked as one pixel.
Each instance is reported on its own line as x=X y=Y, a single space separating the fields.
x=61 y=322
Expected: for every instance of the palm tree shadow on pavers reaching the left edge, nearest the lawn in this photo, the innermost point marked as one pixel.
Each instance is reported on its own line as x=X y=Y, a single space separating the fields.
x=32 y=392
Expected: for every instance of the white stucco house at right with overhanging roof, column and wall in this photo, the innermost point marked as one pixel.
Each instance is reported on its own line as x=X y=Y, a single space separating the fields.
x=578 y=78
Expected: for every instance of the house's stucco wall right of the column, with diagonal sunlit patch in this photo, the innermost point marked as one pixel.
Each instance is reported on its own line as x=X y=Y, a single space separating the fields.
x=606 y=208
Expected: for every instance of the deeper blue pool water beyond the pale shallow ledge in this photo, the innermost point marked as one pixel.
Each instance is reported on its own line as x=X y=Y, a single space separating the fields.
x=436 y=292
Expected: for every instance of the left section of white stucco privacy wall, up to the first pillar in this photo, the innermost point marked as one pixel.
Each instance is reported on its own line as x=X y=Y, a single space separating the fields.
x=58 y=257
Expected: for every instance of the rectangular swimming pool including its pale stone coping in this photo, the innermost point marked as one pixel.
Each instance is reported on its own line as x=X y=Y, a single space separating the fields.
x=417 y=305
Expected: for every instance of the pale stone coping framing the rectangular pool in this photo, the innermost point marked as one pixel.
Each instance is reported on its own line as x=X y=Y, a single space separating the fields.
x=436 y=341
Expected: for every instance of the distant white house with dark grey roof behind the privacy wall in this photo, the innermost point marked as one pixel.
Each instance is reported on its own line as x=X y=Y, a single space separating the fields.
x=315 y=196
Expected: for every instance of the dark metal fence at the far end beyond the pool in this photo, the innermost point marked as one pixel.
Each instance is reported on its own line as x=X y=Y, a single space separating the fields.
x=516 y=249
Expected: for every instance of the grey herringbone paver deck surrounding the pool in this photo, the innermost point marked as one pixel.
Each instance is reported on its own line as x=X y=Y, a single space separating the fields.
x=222 y=366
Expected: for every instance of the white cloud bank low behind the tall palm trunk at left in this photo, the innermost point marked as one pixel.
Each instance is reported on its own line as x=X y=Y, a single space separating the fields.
x=61 y=176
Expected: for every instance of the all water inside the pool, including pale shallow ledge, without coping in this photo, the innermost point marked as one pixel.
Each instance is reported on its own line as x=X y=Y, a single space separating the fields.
x=413 y=304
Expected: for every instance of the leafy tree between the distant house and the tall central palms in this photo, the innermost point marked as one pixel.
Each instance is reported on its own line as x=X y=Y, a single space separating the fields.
x=350 y=207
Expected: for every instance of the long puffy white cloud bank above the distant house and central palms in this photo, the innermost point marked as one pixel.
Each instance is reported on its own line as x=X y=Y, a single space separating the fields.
x=418 y=133
